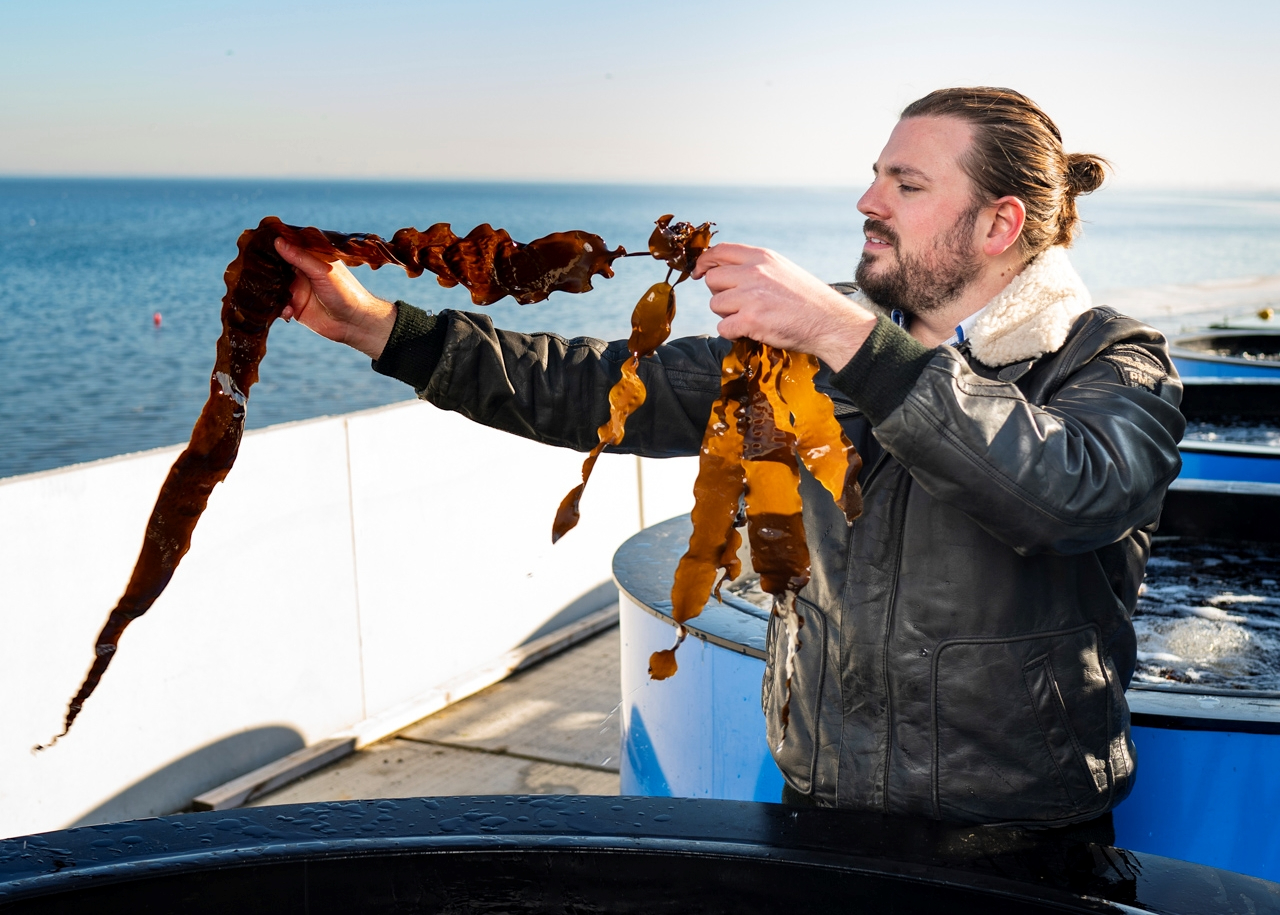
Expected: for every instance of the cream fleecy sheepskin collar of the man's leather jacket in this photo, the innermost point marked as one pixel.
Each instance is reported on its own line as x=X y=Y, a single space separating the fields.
x=1032 y=315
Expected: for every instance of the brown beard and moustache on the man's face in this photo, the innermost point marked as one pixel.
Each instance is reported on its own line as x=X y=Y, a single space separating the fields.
x=921 y=285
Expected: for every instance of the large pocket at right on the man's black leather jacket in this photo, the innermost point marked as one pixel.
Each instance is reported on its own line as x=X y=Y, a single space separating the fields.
x=1022 y=729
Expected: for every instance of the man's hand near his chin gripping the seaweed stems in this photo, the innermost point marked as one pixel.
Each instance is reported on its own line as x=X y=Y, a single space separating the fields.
x=761 y=295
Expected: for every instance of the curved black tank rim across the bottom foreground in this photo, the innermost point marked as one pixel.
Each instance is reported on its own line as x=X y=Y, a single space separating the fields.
x=577 y=855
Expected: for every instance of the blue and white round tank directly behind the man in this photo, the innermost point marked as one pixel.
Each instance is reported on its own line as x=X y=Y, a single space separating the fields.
x=1204 y=792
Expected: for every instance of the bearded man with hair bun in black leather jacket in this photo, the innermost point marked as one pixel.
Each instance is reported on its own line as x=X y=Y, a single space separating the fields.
x=968 y=640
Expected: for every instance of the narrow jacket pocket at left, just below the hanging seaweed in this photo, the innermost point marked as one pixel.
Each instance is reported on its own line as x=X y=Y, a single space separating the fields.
x=796 y=753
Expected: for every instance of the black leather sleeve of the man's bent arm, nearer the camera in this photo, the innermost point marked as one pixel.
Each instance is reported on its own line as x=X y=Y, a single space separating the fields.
x=1080 y=473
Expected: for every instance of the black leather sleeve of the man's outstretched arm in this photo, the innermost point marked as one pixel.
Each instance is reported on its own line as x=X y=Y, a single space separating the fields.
x=556 y=391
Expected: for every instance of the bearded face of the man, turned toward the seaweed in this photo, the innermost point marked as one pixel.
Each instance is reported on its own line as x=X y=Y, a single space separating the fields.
x=922 y=248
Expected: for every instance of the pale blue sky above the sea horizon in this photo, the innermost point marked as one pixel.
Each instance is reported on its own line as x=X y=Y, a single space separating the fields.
x=1177 y=94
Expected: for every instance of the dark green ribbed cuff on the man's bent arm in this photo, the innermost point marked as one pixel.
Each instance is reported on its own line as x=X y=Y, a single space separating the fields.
x=884 y=370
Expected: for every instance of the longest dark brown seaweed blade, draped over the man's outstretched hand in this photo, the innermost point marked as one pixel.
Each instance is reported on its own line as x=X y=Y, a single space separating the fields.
x=487 y=262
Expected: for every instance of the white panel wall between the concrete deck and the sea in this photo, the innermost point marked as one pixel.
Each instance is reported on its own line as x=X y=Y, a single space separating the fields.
x=346 y=566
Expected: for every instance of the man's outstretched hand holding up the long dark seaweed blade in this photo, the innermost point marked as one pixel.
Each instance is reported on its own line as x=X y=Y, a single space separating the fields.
x=331 y=301
